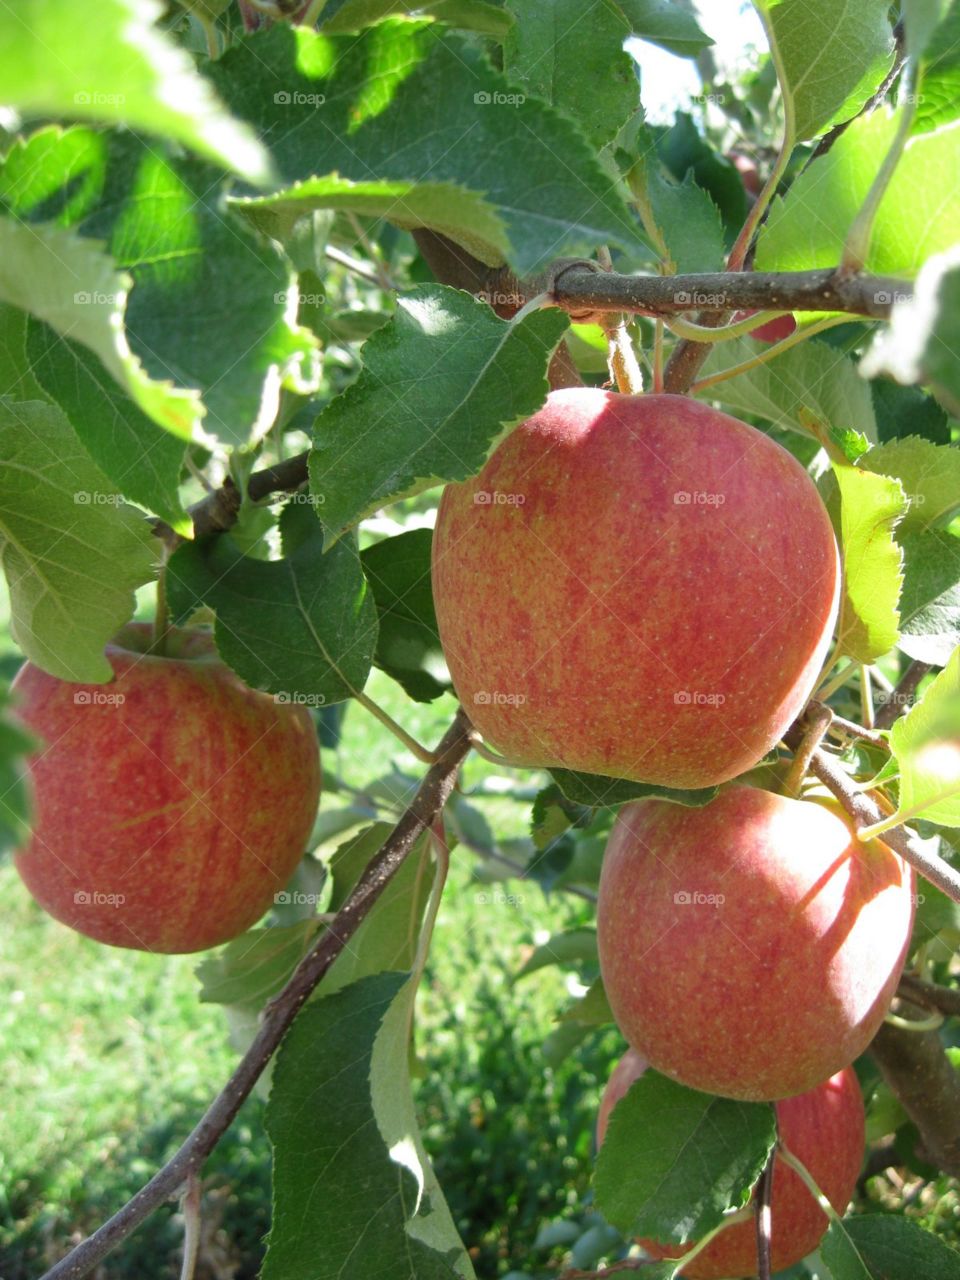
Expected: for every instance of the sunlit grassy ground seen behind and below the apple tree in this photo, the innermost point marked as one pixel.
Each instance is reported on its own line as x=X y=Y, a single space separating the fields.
x=109 y=1060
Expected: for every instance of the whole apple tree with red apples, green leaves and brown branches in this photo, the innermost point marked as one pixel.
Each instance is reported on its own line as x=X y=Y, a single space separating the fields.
x=360 y=336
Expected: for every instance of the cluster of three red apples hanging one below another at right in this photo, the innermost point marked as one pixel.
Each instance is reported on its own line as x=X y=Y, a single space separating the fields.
x=646 y=588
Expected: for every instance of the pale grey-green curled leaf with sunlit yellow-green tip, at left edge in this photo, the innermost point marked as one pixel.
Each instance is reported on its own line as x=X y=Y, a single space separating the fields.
x=76 y=289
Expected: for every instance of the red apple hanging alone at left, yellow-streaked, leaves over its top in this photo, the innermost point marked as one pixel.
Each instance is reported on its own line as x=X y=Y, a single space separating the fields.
x=167 y=821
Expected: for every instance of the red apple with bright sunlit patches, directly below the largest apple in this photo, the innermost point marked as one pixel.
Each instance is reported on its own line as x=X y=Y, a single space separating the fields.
x=749 y=948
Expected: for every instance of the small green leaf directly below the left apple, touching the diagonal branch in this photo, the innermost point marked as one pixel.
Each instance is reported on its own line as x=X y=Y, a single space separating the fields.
x=257 y=966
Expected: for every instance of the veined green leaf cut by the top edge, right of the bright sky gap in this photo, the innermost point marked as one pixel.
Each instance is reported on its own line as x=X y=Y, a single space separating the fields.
x=829 y=60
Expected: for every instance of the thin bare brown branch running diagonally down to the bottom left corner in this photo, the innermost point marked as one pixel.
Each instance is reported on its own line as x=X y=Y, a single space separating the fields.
x=278 y=1016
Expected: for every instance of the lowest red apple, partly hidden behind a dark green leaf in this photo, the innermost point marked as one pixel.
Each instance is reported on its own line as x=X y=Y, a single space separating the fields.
x=824 y=1128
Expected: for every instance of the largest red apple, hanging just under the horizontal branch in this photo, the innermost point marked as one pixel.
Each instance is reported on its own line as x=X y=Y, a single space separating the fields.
x=621 y=592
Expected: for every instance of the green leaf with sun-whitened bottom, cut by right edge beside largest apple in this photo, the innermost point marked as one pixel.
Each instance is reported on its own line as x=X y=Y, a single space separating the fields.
x=930 y=606
